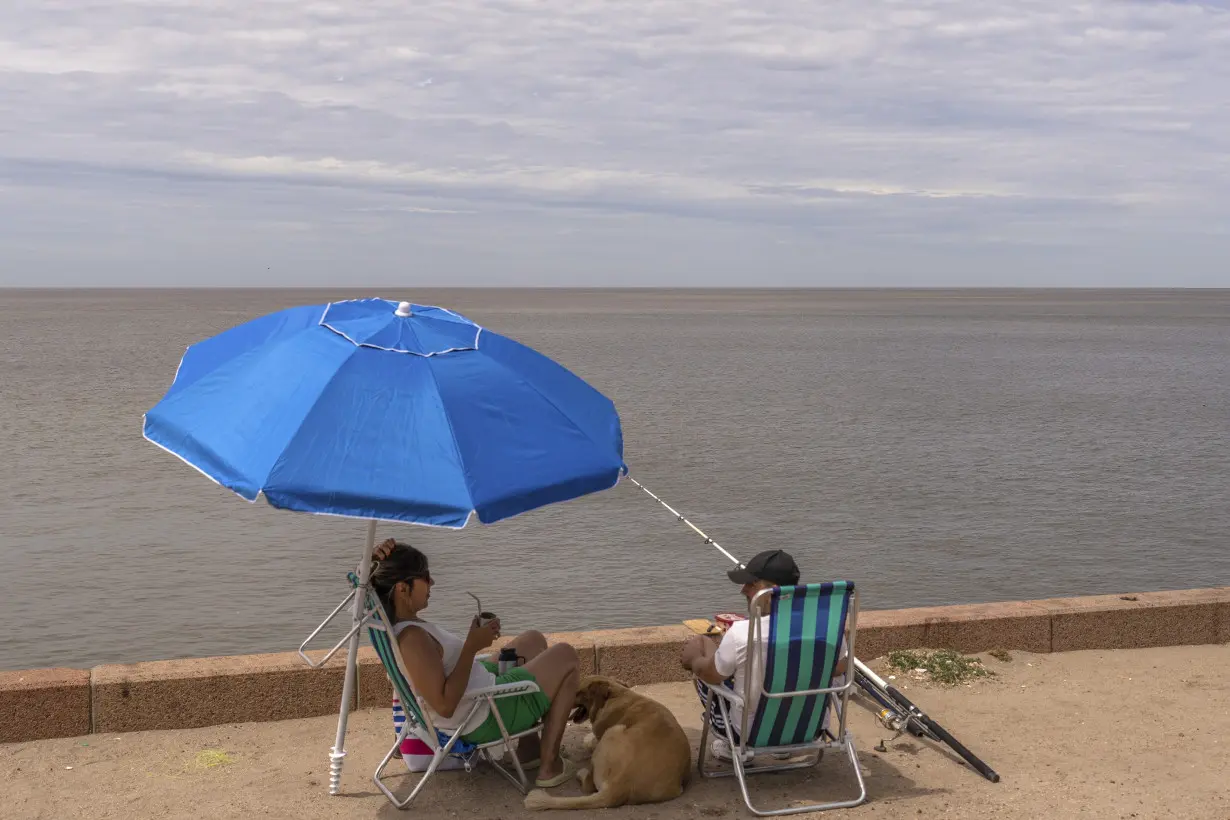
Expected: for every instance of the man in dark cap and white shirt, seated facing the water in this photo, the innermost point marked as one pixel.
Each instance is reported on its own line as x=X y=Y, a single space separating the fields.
x=726 y=664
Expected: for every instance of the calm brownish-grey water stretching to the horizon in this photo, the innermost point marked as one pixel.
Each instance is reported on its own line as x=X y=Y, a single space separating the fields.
x=934 y=447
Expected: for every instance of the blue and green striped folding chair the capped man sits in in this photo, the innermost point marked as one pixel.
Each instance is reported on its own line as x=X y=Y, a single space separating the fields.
x=800 y=649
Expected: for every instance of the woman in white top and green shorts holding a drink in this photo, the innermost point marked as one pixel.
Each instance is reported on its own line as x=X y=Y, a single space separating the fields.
x=443 y=669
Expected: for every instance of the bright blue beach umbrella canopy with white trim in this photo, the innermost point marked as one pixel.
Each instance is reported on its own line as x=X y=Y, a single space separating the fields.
x=379 y=410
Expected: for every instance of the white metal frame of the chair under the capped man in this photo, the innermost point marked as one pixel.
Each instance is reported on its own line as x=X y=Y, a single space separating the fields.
x=744 y=753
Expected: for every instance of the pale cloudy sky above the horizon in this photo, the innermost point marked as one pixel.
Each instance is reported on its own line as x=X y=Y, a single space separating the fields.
x=779 y=143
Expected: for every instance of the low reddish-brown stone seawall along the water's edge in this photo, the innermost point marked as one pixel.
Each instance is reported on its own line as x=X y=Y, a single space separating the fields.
x=208 y=692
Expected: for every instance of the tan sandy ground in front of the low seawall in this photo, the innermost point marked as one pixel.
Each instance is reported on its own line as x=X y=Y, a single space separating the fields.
x=1140 y=733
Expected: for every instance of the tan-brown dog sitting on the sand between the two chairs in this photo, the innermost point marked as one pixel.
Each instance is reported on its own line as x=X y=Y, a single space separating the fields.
x=641 y=754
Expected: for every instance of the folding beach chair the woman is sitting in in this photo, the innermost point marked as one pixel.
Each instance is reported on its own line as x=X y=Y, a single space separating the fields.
x=419 y=721
